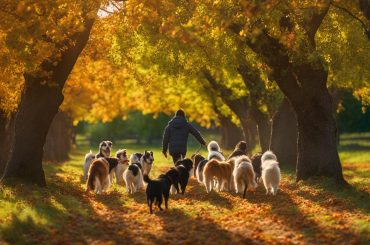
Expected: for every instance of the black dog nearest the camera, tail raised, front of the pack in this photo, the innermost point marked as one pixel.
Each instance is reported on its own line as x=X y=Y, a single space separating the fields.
x=156 y=190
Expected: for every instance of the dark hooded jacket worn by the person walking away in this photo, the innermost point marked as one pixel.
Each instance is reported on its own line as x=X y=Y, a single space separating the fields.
x=176 y=135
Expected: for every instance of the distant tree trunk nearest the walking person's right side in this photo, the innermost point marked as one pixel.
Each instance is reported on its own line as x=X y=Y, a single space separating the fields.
x=231 y=134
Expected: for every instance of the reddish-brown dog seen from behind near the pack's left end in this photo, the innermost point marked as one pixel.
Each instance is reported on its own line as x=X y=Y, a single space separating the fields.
x=99 y=174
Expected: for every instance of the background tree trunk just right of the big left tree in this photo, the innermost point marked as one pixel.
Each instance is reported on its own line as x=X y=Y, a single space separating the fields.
x=59 y=139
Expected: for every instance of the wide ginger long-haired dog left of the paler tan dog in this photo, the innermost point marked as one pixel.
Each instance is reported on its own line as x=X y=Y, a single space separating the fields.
x=221 y=171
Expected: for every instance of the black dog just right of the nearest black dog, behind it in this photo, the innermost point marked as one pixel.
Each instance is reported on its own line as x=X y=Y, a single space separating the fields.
x=183 y=168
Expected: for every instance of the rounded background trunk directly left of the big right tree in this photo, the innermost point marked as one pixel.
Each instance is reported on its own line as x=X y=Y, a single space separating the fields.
x=284 y=136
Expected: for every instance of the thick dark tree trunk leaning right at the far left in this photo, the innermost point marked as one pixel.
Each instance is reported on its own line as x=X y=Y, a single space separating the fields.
x=40 y=101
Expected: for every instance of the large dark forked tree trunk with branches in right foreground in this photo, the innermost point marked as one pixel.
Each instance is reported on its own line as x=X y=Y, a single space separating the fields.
x=304 y=83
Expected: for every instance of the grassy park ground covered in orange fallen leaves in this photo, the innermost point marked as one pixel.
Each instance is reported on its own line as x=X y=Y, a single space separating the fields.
x=311 y=212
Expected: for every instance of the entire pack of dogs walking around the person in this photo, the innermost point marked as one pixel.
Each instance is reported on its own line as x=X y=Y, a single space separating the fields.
x=236 y=173
